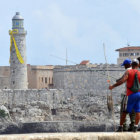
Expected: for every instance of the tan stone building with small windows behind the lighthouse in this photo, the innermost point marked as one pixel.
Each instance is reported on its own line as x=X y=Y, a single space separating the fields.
x=39 y=77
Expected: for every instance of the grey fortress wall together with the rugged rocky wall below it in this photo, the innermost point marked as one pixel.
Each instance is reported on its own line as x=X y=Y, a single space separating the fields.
x=80 y=95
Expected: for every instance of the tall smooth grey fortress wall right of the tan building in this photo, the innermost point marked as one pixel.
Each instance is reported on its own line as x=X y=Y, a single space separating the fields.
x=85 y=76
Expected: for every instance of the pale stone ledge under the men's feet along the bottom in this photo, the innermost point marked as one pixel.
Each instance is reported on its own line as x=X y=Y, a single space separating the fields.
x=73 y=136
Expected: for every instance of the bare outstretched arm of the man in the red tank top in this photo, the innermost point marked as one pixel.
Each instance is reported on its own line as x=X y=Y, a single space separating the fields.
x=121 y=81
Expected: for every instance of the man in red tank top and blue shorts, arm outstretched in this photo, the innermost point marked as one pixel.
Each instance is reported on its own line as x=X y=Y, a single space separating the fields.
x=133 y=98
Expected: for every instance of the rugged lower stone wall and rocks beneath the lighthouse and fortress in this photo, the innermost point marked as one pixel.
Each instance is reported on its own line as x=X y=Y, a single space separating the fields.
x=60 y=109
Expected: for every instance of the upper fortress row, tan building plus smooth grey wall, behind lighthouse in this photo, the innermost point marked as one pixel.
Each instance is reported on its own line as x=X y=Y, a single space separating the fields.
x=63 y=77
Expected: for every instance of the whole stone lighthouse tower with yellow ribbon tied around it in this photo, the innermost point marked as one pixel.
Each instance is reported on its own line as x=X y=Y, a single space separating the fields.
x=18 y=66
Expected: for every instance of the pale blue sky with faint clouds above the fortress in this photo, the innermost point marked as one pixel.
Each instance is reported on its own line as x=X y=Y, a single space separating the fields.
x=78 y=26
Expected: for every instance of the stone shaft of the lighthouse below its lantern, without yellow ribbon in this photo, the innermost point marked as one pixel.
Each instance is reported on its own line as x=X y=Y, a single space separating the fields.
x=18 y=71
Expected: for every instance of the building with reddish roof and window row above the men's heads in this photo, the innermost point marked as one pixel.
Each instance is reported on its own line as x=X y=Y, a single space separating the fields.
x=128 y=52
